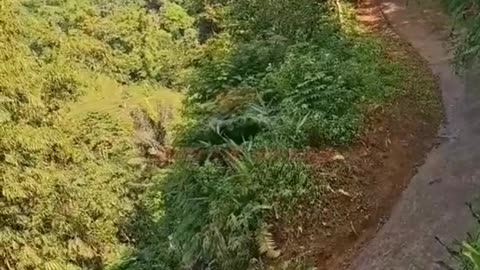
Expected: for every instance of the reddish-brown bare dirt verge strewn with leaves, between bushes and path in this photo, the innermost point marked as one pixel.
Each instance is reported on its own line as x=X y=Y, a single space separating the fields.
x=364 y=181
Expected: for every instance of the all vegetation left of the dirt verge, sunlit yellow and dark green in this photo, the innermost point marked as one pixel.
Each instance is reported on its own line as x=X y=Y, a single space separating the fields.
x=89 y=91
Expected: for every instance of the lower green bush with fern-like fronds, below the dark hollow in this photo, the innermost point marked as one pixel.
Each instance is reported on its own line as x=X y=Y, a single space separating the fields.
x=212 y=215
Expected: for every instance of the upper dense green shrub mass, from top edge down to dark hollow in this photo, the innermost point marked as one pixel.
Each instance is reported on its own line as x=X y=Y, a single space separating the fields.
x=278 y=77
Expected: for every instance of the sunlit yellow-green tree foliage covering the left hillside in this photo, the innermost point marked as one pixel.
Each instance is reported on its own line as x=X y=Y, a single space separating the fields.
x=64 y=175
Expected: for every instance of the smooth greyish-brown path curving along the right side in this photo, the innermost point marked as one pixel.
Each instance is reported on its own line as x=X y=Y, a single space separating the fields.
x=434 y=202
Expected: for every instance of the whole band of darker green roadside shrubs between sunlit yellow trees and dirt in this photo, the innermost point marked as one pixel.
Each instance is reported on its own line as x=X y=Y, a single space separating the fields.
x=266 y=79
